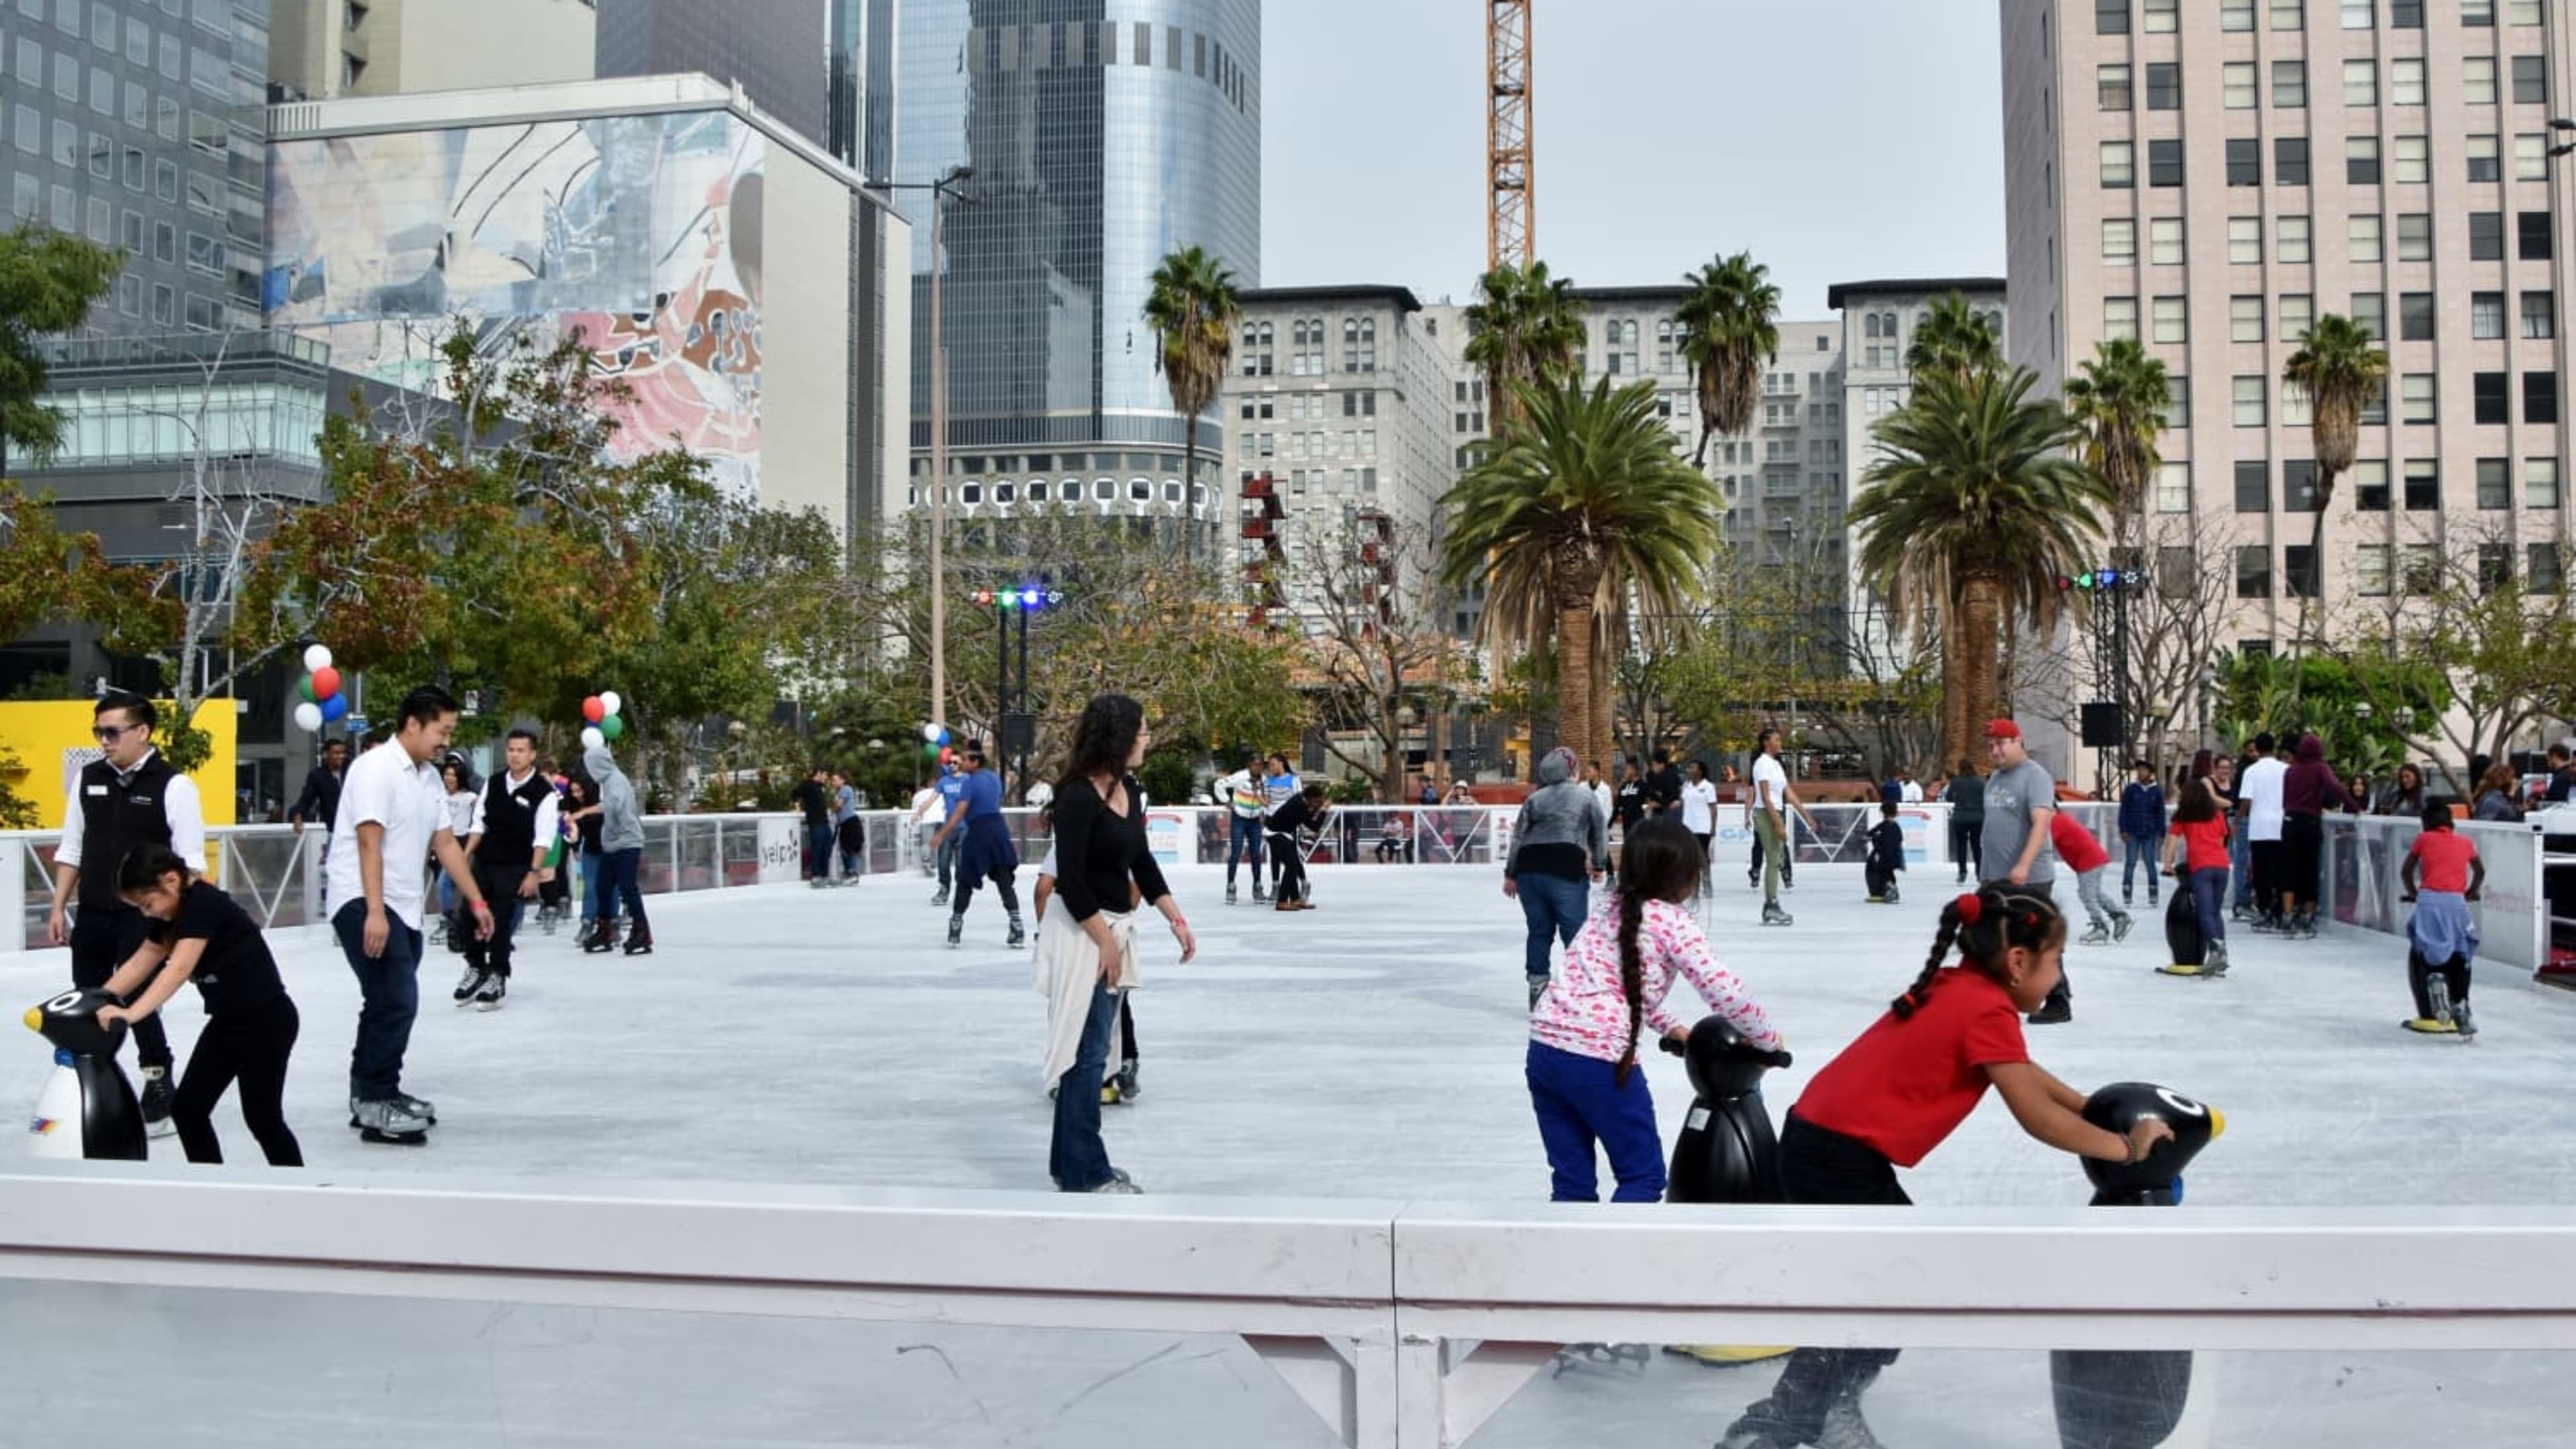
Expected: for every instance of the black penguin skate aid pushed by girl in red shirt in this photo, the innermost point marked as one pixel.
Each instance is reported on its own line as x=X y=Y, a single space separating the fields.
x=2121 y=1399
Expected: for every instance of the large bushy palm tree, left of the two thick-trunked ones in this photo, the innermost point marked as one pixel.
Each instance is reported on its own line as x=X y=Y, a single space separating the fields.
x=1583 y=509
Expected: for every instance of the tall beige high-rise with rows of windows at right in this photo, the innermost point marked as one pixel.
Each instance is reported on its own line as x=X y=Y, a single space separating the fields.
x=2209 y=177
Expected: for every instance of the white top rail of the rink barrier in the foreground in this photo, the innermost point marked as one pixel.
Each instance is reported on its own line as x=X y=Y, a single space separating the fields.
x=1403 y=1324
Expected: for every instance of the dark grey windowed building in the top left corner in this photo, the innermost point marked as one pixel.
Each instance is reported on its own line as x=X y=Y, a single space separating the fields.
x=138 y=125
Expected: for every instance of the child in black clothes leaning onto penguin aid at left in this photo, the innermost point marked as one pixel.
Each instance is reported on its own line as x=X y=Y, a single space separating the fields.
x=251 y=1022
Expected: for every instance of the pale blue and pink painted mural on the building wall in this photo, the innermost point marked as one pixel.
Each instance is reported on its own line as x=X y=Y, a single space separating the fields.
x=640 y=231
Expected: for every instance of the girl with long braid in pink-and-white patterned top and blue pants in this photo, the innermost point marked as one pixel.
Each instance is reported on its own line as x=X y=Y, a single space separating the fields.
x=1614 y=981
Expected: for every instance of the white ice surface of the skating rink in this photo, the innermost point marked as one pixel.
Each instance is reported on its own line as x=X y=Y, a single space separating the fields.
x=1369 y=1048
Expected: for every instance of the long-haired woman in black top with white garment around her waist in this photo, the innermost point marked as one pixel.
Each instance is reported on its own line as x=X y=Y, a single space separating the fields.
x=1088 y=950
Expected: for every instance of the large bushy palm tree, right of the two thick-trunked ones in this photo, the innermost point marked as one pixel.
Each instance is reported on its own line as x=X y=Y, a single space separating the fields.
x=1975 y=504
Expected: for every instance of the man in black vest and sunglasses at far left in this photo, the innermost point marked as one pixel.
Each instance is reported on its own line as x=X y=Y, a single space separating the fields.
x=125 y=801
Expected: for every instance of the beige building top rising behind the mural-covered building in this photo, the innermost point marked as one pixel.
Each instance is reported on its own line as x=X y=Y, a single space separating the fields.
x=321 y=50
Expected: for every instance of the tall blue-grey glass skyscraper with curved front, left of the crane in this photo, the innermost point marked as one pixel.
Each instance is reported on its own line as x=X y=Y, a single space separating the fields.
x=1101 y=138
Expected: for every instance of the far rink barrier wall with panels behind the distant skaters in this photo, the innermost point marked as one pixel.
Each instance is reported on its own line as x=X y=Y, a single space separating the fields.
x=277 y=875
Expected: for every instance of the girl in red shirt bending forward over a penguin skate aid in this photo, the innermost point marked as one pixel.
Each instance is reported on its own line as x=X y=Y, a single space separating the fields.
x=1900 y=1092
